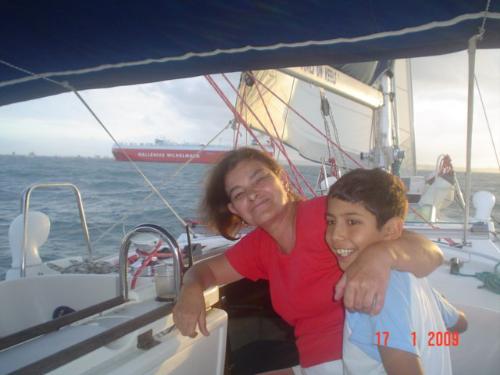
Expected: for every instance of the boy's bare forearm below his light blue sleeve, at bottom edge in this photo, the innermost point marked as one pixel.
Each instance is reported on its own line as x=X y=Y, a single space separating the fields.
x=397 y=362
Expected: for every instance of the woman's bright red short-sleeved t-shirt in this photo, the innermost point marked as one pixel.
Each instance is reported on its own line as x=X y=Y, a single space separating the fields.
x=301 y=283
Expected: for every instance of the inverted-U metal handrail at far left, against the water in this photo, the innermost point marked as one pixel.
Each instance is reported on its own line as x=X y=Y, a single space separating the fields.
x=25 y=203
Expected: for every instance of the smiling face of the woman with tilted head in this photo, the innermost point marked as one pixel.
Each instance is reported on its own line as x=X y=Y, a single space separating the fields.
x=256 y=193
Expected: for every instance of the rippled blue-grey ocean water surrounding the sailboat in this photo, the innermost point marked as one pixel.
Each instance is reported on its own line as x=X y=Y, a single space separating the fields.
x=115 y=199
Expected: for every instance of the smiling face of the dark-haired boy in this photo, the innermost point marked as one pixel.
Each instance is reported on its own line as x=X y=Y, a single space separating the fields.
x=350 y=229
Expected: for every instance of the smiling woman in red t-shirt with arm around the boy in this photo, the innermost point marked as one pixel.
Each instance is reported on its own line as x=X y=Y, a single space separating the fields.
x=288 y=248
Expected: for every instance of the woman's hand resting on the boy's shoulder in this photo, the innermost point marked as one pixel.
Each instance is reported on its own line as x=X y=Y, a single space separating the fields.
x=364 y=283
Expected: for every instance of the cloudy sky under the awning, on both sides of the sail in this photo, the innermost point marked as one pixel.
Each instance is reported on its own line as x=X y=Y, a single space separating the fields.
x=188 y=110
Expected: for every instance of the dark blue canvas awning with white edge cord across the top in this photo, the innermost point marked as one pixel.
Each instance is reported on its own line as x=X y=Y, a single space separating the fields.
x=105 y=43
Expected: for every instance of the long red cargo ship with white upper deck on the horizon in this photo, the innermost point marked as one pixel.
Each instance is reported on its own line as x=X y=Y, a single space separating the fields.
x=168 y=152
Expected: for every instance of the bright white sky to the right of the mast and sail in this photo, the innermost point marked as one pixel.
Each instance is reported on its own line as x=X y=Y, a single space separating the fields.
x=440 y=107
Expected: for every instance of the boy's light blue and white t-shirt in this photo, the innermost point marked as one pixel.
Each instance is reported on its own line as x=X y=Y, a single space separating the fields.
x=412 y=311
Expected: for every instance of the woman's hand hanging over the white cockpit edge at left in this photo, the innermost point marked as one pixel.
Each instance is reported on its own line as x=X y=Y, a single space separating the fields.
x=189 y=311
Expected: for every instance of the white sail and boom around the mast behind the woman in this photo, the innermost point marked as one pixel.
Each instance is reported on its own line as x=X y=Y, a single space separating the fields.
x=278 y=102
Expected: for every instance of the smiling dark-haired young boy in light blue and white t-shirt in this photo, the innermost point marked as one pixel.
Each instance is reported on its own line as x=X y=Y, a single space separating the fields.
x=410 y=335
